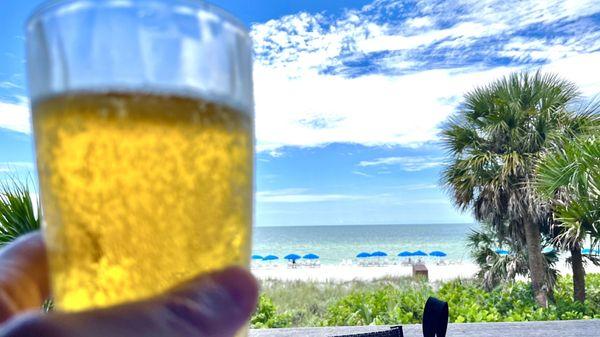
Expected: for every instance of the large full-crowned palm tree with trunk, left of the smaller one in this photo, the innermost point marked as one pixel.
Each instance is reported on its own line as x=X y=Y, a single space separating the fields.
x=494 y=141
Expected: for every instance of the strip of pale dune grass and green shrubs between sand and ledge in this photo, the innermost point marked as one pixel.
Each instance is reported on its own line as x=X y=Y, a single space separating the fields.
x=401 y=301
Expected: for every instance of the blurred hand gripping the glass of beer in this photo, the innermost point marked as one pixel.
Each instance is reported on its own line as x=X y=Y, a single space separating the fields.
x=214 y=305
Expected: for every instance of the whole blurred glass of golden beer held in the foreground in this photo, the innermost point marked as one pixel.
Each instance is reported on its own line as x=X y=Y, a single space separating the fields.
x=143 y=124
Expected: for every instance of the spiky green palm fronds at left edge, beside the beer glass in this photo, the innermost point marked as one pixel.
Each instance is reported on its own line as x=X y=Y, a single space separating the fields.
x=19 y=213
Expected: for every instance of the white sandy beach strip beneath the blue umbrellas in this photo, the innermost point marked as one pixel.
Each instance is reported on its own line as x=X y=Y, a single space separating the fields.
x=341 y=273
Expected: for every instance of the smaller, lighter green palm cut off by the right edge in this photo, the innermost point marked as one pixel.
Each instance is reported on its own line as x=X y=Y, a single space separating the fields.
x=570 y=177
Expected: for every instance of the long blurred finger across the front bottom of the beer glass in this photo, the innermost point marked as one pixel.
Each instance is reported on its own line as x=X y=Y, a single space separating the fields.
x=216 y=305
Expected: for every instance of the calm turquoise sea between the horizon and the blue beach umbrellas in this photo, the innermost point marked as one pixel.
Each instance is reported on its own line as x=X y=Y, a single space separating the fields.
x=337 y=243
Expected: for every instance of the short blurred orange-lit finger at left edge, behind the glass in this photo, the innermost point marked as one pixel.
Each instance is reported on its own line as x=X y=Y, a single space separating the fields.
x=23 y=275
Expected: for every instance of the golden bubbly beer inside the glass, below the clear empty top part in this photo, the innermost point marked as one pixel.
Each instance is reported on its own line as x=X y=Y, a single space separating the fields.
x=141 y=191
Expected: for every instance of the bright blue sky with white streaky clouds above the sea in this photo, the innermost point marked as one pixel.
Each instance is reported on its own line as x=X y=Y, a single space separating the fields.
x=350 y=95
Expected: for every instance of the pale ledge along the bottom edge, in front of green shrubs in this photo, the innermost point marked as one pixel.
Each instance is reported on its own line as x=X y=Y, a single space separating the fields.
x=584 y=328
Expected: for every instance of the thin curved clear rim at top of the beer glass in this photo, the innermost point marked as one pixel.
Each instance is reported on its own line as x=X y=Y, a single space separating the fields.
x=50 y=6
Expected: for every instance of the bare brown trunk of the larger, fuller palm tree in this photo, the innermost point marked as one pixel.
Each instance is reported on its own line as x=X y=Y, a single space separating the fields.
x=536 y=263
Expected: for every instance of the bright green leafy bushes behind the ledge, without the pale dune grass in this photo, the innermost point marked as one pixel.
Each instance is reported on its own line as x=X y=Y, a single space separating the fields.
x=468 y=302
